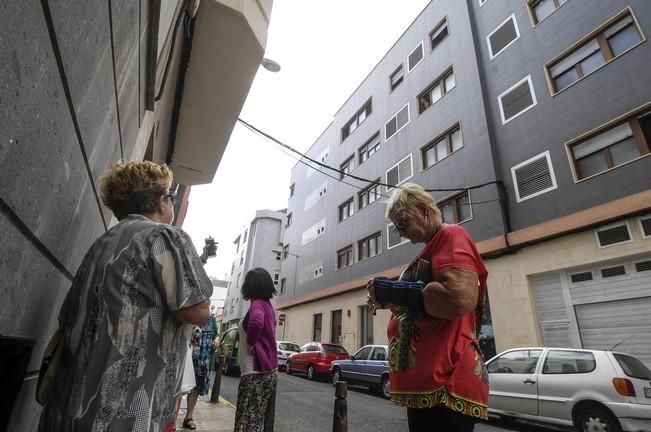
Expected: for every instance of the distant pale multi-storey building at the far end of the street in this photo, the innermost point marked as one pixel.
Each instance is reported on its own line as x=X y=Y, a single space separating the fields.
x=258 y=245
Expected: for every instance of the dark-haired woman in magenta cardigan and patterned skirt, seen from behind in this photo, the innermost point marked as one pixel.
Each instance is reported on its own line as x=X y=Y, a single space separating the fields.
x=256 y=393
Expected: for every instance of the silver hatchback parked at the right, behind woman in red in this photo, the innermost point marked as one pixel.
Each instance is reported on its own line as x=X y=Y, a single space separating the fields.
x=592 y=390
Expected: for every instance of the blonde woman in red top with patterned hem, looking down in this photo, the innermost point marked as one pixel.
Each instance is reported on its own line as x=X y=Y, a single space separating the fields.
x=435 y=366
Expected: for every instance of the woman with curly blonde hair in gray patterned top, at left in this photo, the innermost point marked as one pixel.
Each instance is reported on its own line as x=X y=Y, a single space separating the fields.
x=126 y=317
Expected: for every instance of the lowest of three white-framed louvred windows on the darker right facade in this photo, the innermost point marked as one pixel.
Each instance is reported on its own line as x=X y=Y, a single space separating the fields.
x=533 y=177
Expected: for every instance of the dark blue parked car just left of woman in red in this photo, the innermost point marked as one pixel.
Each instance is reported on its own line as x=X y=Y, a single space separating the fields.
x=369 y=366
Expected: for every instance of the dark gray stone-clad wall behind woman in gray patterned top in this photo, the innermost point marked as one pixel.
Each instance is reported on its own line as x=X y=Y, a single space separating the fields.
x=53 y=151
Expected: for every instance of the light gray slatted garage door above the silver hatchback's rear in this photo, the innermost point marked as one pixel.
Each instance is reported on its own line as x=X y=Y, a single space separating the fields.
x=624 y=322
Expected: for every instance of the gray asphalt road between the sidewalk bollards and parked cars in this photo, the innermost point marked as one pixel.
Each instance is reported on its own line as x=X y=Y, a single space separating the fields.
x=307 y=406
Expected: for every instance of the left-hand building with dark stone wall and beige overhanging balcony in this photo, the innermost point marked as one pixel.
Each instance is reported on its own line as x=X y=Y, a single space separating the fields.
x=85 y=84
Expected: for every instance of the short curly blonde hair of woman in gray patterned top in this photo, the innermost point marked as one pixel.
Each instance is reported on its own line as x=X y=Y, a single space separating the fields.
x=134 y=187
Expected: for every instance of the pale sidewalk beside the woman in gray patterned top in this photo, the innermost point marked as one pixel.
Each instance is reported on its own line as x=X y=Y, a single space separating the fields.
x=209 y=416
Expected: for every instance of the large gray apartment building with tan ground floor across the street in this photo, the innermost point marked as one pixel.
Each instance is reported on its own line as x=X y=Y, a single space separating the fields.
x=530 y=122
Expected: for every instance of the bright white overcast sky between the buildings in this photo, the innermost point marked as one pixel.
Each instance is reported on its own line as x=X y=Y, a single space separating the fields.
x=325 y=49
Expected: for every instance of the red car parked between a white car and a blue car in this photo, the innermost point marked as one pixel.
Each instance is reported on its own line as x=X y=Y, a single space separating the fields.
x=315 y=358
